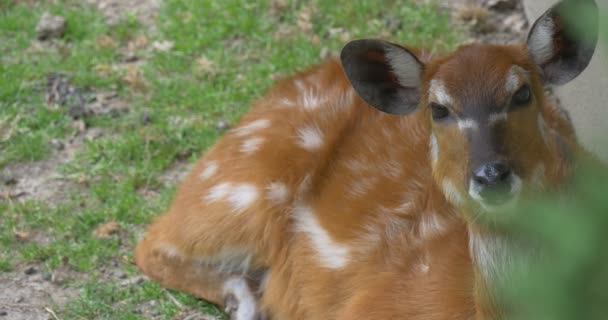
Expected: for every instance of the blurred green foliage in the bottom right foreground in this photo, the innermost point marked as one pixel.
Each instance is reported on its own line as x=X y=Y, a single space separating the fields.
x=566 y=278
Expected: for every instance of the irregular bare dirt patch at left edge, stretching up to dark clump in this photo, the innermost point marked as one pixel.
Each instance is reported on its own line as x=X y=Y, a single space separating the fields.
x=43 y=180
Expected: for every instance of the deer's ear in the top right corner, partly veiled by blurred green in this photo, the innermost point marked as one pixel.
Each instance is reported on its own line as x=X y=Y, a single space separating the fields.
x=562 y=41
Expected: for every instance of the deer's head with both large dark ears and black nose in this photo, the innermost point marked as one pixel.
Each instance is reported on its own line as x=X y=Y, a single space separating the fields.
x=482 y=103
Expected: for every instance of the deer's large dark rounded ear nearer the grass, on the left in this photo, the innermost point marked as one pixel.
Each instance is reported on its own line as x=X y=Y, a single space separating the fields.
x=385 y=75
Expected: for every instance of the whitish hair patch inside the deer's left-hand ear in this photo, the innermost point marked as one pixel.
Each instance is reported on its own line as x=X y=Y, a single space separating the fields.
x=404 y=65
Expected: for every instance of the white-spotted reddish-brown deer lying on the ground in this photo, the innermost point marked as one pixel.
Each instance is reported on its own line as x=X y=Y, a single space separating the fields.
x=355 y=189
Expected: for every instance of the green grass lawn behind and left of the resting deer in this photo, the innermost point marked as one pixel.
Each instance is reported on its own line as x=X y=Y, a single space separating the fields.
x=246 y=45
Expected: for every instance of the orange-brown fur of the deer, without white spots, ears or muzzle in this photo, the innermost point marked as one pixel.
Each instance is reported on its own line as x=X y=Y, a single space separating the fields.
x=372 y=188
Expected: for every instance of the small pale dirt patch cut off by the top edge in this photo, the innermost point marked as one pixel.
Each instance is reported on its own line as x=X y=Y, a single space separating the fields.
x=116 y=10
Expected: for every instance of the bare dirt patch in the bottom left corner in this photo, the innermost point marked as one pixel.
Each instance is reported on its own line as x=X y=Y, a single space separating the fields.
x=29 y=294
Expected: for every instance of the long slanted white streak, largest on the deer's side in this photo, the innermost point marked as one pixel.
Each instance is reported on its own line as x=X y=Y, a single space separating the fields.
x=331 y=254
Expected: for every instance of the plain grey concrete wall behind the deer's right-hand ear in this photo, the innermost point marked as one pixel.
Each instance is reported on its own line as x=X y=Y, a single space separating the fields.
x=586 y=97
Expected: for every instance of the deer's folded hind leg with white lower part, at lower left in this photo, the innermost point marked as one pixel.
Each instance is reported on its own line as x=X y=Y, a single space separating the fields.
x=224 y=278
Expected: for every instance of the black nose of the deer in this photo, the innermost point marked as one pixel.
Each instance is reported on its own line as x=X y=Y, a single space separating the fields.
x=493 y=177
